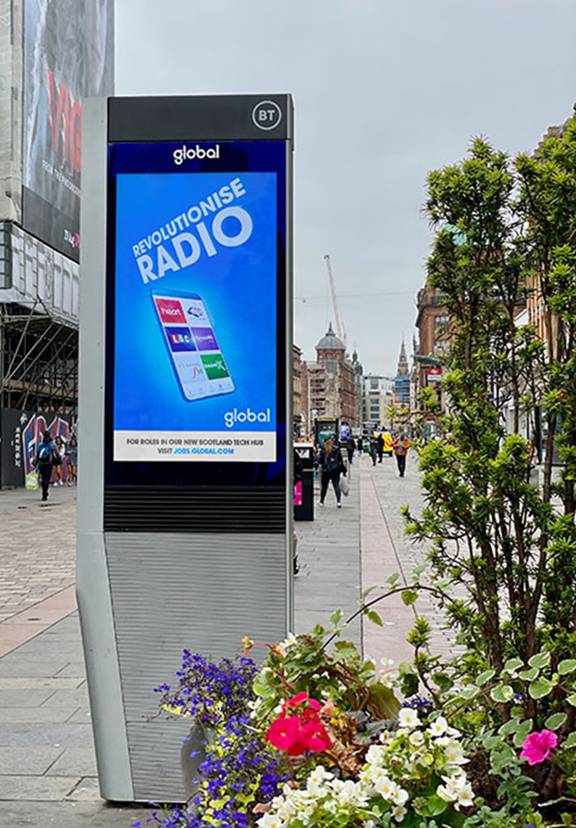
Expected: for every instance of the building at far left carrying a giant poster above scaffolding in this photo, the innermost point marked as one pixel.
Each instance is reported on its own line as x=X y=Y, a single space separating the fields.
x=53 y=56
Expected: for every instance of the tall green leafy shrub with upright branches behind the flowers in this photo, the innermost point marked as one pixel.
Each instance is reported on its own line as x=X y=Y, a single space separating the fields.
x=503 y=546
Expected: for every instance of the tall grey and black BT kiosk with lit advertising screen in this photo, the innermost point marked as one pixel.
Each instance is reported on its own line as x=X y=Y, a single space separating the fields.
x=185 y=490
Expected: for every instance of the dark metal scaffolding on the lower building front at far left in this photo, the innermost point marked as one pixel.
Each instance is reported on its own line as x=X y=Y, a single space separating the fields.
x=38 y=359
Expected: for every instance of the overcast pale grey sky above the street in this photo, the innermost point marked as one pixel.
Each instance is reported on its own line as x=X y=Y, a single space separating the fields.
x=385 y=90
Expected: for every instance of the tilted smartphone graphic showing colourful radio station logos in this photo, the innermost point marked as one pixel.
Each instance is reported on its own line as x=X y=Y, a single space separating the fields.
x=192 y=345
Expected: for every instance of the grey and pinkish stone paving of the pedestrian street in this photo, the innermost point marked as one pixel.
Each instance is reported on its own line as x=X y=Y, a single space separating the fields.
x=47 y=768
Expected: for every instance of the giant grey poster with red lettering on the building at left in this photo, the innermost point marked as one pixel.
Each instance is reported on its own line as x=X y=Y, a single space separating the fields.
x=68 y=55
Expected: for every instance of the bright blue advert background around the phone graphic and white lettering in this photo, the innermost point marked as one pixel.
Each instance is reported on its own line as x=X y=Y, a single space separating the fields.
x=238 y=286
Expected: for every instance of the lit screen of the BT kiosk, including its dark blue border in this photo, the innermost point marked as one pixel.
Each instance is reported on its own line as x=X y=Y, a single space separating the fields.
x=195 y=297
